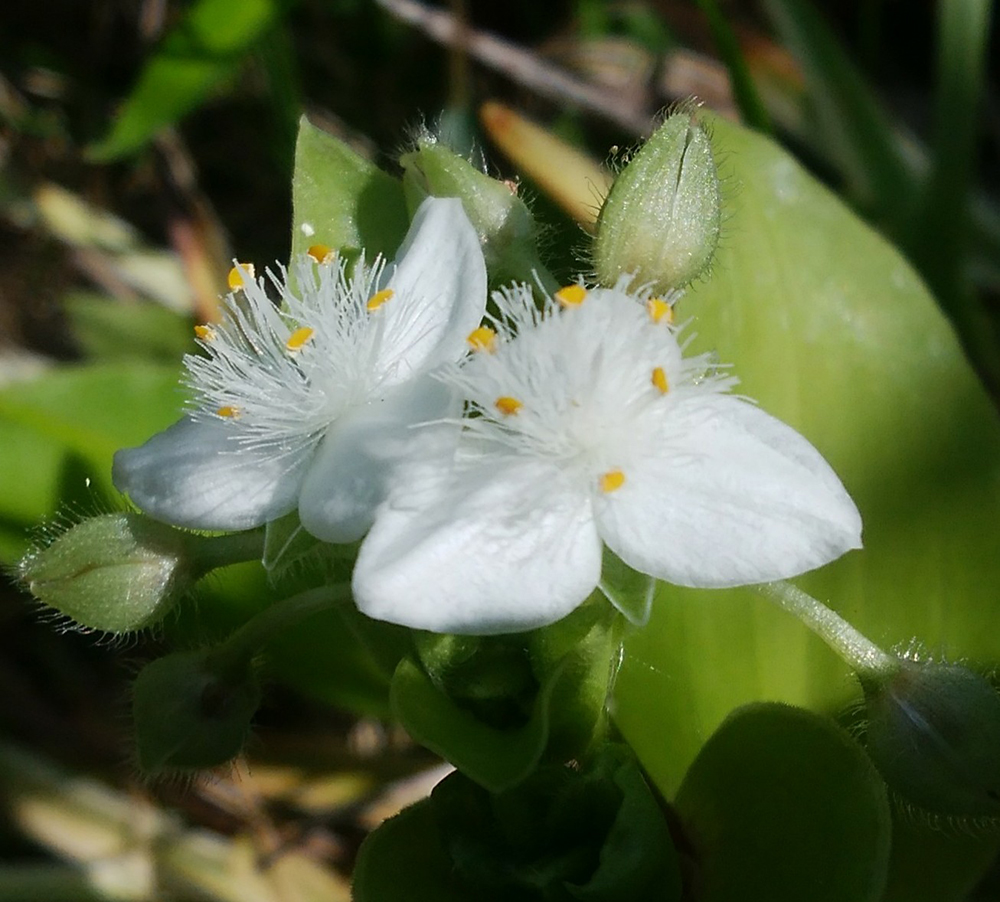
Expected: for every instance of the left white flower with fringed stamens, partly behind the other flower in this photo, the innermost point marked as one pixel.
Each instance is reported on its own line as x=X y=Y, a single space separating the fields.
x=309 y=405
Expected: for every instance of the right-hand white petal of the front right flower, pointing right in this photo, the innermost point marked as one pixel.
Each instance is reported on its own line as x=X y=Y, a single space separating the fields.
x=736 y=497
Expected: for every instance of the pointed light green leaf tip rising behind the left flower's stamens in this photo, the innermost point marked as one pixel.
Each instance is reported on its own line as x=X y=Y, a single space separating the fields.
x=341 y=200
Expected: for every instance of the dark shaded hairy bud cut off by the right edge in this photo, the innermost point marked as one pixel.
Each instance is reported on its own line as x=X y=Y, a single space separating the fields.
x=934 y=734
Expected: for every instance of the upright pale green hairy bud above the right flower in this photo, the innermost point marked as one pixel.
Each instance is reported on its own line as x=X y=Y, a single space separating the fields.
x=660 y=221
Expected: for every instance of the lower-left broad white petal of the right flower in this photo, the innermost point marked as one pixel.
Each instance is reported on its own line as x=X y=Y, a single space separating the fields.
x=508 y=547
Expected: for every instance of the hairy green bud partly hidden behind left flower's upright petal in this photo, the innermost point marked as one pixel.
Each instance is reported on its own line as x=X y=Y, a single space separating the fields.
x=506 y=228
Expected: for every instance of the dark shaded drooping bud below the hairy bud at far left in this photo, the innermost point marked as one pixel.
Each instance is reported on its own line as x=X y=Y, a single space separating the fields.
x=192 y=710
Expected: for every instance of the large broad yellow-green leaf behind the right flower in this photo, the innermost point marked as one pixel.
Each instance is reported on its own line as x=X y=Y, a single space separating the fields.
x=830 y=330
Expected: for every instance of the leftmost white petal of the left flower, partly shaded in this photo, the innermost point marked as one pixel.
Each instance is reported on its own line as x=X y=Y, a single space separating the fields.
x=196 y=475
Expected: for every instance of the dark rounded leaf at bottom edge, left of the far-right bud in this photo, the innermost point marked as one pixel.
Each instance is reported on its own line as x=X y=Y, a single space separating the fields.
x=781 y=806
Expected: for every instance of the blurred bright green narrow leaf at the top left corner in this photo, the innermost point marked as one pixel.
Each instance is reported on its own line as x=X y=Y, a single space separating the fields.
x=205 y=49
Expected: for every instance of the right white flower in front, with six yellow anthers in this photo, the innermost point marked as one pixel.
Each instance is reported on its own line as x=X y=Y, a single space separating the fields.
x=587 y=425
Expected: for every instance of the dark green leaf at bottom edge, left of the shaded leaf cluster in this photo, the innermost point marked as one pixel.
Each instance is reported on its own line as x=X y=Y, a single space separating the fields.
x=403 y=861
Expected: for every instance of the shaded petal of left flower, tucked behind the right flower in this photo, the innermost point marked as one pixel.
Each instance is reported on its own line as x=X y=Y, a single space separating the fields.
x=348 y=477
